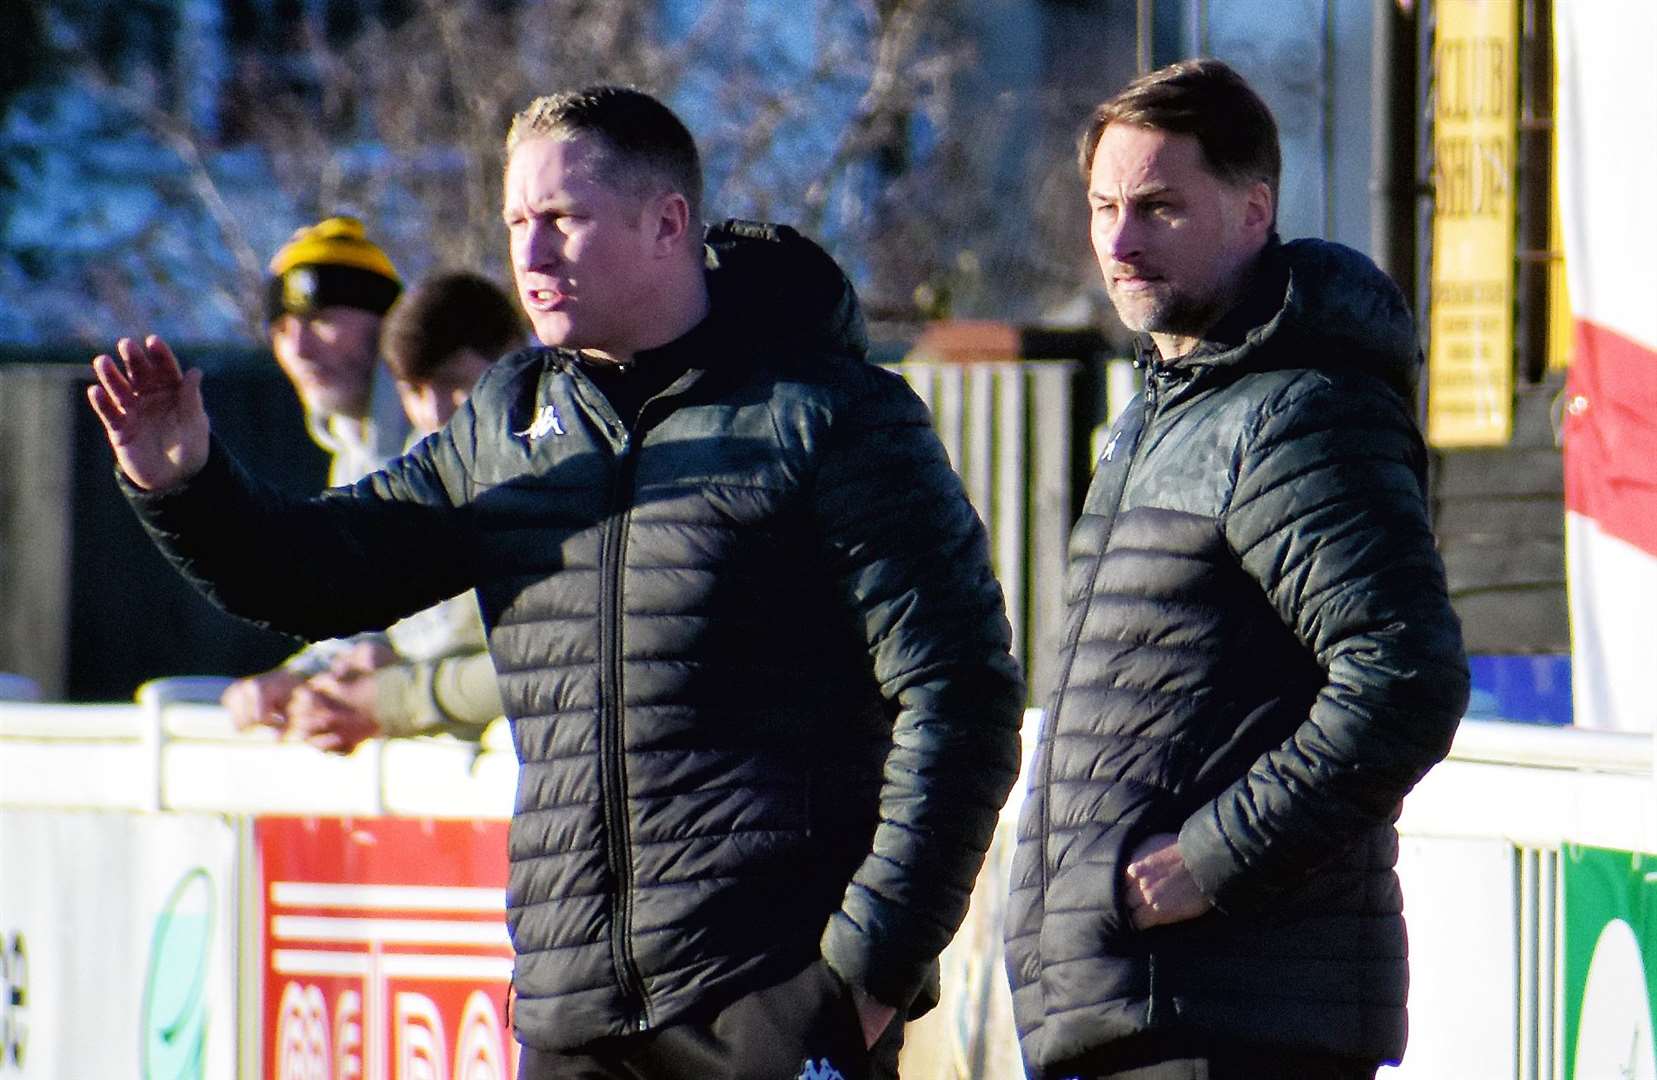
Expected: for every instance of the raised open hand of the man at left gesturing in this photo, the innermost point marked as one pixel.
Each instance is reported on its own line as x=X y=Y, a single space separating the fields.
x=153 y=413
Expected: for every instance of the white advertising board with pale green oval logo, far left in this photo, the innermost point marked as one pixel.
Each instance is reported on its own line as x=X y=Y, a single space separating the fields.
x=117 y=947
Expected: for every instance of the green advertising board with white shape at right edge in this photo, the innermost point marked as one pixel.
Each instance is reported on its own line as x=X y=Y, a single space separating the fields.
x=1610 y=963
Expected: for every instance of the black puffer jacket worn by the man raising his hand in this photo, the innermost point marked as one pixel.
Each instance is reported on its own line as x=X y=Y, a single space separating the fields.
x=753 y=653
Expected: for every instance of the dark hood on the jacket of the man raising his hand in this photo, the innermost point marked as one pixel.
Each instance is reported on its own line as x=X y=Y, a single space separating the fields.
x=786 y=291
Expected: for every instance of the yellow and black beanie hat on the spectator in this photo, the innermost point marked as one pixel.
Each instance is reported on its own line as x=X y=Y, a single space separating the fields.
x=331 y=264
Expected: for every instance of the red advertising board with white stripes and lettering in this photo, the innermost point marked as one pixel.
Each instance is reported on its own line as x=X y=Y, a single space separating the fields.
x=387 y=953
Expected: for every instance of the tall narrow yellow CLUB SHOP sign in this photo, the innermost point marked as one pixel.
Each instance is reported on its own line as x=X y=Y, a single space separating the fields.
x=1471 y=364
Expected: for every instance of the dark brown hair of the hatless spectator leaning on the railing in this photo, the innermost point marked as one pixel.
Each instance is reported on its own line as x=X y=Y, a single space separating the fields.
x=443 y=316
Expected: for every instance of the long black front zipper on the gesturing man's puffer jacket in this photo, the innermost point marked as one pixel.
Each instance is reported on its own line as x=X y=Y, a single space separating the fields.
x=612 y=743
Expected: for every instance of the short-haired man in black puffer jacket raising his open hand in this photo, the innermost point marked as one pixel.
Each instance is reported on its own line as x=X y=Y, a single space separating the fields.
x=748 y=637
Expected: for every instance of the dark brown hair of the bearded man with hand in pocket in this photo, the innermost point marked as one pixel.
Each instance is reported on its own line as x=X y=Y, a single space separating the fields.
x=1209 y=102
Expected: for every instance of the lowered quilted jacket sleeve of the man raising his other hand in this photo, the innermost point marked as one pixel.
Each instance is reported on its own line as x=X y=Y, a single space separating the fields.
x=911 y=559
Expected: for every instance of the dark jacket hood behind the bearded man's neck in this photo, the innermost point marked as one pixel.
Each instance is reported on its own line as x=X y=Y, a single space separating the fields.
x=1320 y=306
